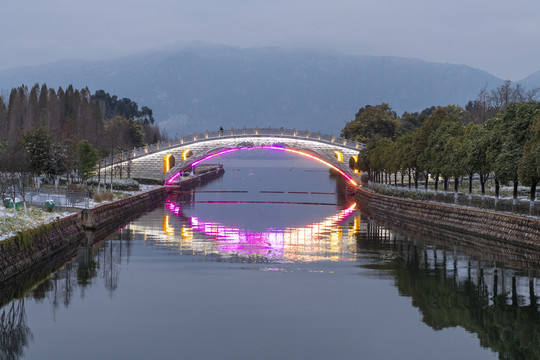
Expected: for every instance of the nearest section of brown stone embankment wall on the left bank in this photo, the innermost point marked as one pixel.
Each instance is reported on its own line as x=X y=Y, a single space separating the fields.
x=21 y=252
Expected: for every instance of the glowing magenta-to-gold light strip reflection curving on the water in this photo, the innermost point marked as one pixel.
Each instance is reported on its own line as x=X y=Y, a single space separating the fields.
x=273 y=243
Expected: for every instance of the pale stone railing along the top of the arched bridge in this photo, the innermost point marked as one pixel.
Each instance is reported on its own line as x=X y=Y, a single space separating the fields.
x=228 y=133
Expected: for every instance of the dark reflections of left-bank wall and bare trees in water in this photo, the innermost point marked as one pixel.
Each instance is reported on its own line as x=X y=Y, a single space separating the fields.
x=99 y=261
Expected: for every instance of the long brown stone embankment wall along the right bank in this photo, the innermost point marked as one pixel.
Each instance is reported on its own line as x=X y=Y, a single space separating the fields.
x=470 y=224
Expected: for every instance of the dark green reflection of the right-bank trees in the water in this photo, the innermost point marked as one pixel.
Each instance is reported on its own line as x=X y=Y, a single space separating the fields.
x=497 y=304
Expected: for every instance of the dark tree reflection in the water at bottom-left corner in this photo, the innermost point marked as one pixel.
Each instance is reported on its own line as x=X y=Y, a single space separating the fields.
x=14 y=332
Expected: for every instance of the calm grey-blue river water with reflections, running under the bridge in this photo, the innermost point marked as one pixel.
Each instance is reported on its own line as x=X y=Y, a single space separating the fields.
x=272 y=261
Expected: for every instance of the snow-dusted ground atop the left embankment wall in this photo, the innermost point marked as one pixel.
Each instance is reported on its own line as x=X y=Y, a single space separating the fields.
x=33 y=217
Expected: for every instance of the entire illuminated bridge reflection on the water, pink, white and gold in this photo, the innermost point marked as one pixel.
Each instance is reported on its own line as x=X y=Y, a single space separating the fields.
x=330 y=239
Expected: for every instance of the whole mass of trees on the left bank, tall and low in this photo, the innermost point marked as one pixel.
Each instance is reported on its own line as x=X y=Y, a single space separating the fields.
x=48 y=132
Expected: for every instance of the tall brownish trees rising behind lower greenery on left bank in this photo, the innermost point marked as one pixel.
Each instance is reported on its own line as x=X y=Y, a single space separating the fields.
x=108 y=123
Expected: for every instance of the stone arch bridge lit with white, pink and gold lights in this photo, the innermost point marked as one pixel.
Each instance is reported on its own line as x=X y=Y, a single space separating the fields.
x=166 y=159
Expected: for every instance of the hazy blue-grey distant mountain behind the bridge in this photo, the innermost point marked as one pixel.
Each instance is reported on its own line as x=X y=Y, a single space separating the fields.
x=204 y=87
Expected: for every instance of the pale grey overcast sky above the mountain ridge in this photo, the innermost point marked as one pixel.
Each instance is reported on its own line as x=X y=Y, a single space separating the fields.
x=501 y=37
